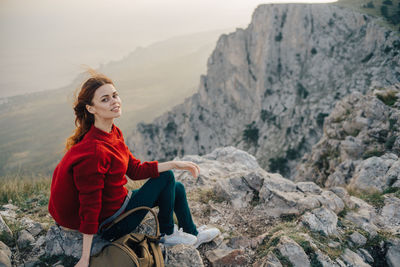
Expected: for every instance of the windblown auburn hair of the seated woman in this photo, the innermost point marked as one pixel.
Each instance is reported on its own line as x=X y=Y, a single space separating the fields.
x=83 y=118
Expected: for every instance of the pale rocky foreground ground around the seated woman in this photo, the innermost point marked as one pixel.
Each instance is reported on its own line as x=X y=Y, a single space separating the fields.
x=265 y=220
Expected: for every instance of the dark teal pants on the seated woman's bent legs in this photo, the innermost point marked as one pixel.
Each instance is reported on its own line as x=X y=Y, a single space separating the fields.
x=168 y=195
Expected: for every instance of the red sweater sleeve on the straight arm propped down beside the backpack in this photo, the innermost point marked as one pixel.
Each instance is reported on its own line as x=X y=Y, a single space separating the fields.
x=89 y=175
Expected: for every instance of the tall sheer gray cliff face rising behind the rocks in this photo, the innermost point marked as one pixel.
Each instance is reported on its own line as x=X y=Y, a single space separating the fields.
x=269 y=87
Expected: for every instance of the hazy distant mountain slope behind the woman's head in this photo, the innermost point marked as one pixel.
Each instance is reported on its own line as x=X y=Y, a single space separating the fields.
x=150 y=81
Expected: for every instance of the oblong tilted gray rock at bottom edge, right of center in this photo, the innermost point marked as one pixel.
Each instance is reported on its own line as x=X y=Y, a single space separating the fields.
x=293 y=252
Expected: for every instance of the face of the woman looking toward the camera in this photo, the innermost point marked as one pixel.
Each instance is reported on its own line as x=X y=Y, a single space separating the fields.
x=106 y=104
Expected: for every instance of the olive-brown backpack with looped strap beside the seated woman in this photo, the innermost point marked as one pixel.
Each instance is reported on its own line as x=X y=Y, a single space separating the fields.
x=134 y=249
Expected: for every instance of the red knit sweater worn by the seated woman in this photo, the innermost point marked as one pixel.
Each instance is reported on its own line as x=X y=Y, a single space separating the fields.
x=88 y=183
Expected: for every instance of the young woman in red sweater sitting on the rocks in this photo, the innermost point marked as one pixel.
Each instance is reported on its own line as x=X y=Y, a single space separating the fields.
x=87 y=189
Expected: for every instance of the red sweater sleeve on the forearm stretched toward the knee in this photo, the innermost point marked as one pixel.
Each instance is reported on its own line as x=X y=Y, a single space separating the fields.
x=139 y=171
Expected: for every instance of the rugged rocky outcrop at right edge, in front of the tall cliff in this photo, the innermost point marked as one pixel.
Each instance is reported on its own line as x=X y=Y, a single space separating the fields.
x=360 y=145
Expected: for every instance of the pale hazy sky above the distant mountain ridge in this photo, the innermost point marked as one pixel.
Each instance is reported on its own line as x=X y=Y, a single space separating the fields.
x=44 y=42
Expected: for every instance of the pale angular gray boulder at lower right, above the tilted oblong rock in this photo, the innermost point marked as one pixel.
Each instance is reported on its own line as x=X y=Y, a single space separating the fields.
x=321 y=219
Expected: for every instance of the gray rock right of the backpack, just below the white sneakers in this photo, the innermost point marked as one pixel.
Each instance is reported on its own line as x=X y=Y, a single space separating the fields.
x=183 y=256
